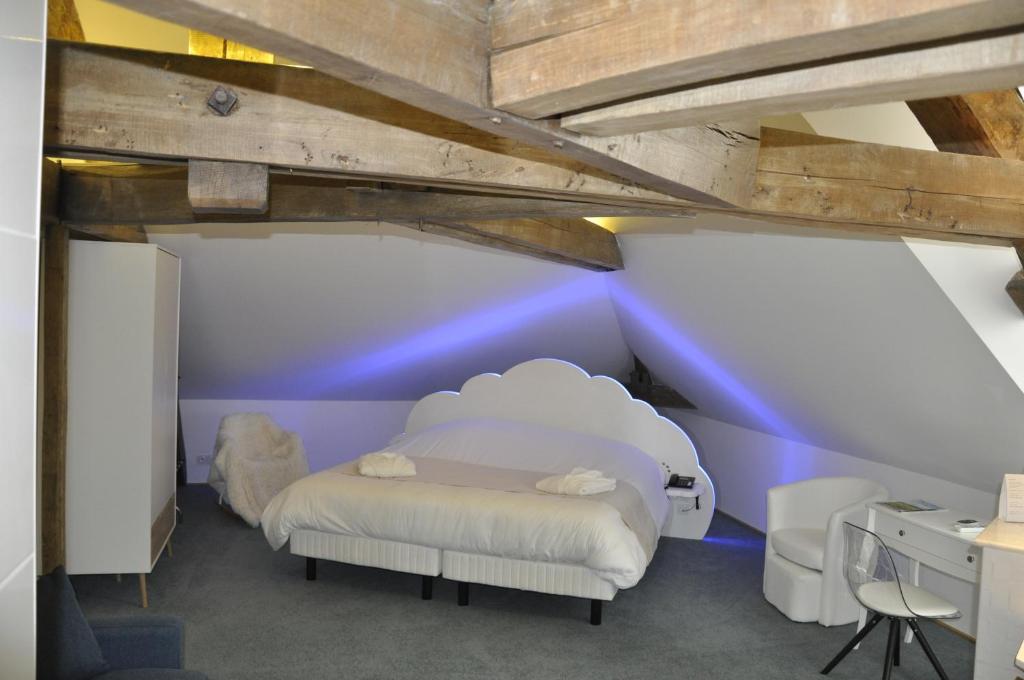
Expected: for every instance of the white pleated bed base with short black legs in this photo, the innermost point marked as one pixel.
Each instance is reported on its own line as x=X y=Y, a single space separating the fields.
x=549 y=578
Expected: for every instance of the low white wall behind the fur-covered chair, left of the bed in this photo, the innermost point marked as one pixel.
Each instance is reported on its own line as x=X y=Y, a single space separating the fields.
x=332 y=432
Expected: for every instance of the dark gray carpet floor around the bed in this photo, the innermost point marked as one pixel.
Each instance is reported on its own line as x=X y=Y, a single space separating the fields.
x=698 y=614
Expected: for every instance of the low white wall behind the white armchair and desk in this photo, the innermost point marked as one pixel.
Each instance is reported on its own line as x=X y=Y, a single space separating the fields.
x=744 y=464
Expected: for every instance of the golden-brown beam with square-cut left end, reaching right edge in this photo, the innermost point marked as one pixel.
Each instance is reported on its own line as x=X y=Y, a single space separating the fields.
x=915 y=192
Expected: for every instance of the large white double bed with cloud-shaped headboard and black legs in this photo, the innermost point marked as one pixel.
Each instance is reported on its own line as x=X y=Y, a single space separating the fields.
x=472 y=514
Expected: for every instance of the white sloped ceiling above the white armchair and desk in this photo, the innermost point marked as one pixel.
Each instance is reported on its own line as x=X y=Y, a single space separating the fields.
x=846 y=345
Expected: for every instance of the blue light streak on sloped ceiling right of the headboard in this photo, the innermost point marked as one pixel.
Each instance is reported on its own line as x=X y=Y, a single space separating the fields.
x=686 y=350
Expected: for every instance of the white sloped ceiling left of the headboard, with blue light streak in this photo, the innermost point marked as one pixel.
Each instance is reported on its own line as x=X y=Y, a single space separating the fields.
x=367 y=312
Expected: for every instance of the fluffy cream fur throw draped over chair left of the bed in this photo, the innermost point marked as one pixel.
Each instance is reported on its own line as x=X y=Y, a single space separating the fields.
x=253 y=461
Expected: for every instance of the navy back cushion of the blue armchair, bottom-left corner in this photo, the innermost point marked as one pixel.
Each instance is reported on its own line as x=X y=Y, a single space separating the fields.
x=66 y=649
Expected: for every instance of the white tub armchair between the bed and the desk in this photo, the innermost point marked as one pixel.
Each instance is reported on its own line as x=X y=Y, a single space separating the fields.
x=804 y=546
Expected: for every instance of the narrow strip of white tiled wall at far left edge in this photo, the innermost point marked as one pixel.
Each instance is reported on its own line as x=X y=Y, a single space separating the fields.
x=22 y=59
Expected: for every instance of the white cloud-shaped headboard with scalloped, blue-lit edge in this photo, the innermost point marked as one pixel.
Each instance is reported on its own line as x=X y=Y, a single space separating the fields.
x=557 y=394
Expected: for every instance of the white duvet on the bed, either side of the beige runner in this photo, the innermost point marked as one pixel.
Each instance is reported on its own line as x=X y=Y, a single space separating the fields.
x=521 y=526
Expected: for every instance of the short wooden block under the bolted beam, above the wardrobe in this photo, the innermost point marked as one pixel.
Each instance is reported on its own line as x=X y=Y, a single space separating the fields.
x=216 y=187
